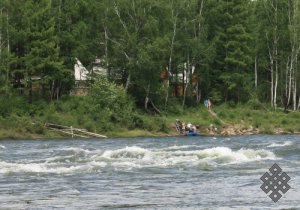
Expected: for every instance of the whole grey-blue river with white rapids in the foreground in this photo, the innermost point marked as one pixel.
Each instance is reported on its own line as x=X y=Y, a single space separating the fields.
x=147 y=173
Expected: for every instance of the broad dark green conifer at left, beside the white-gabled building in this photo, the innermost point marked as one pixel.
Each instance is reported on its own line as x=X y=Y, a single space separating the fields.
x=35 y=47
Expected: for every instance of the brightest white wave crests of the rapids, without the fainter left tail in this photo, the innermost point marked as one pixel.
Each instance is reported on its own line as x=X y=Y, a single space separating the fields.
x=140 y=157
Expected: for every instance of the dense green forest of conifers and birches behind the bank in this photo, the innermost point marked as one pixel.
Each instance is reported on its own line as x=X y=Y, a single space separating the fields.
x=160 y=55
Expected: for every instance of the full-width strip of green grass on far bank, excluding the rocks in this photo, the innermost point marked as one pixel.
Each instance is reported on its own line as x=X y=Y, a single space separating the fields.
x=23 y=121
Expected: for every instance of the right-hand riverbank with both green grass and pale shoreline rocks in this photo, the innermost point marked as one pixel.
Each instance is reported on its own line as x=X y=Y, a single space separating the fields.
x=244 y=120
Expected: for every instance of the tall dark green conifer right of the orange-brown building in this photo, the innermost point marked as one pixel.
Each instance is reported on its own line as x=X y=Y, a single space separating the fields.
x=237 y=55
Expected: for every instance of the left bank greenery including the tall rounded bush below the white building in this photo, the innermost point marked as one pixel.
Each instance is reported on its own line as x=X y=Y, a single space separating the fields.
x=106 y=109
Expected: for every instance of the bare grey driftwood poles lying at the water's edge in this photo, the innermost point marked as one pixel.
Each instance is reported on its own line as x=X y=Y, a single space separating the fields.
x=83 y=133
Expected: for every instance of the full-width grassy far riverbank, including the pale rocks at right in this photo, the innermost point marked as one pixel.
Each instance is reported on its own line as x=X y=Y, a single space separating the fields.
x=221 y=121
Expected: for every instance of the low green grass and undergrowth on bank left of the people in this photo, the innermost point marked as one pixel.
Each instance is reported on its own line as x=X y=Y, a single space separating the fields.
x=20 y=120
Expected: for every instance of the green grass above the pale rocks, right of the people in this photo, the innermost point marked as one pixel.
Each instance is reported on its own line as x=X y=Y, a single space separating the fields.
x=264 y=118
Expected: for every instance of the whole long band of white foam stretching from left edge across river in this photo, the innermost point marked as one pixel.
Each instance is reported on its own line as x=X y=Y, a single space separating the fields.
x=84 y=161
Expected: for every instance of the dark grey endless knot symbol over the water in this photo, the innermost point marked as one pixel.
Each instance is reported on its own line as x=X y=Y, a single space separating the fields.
x=275 y=182
